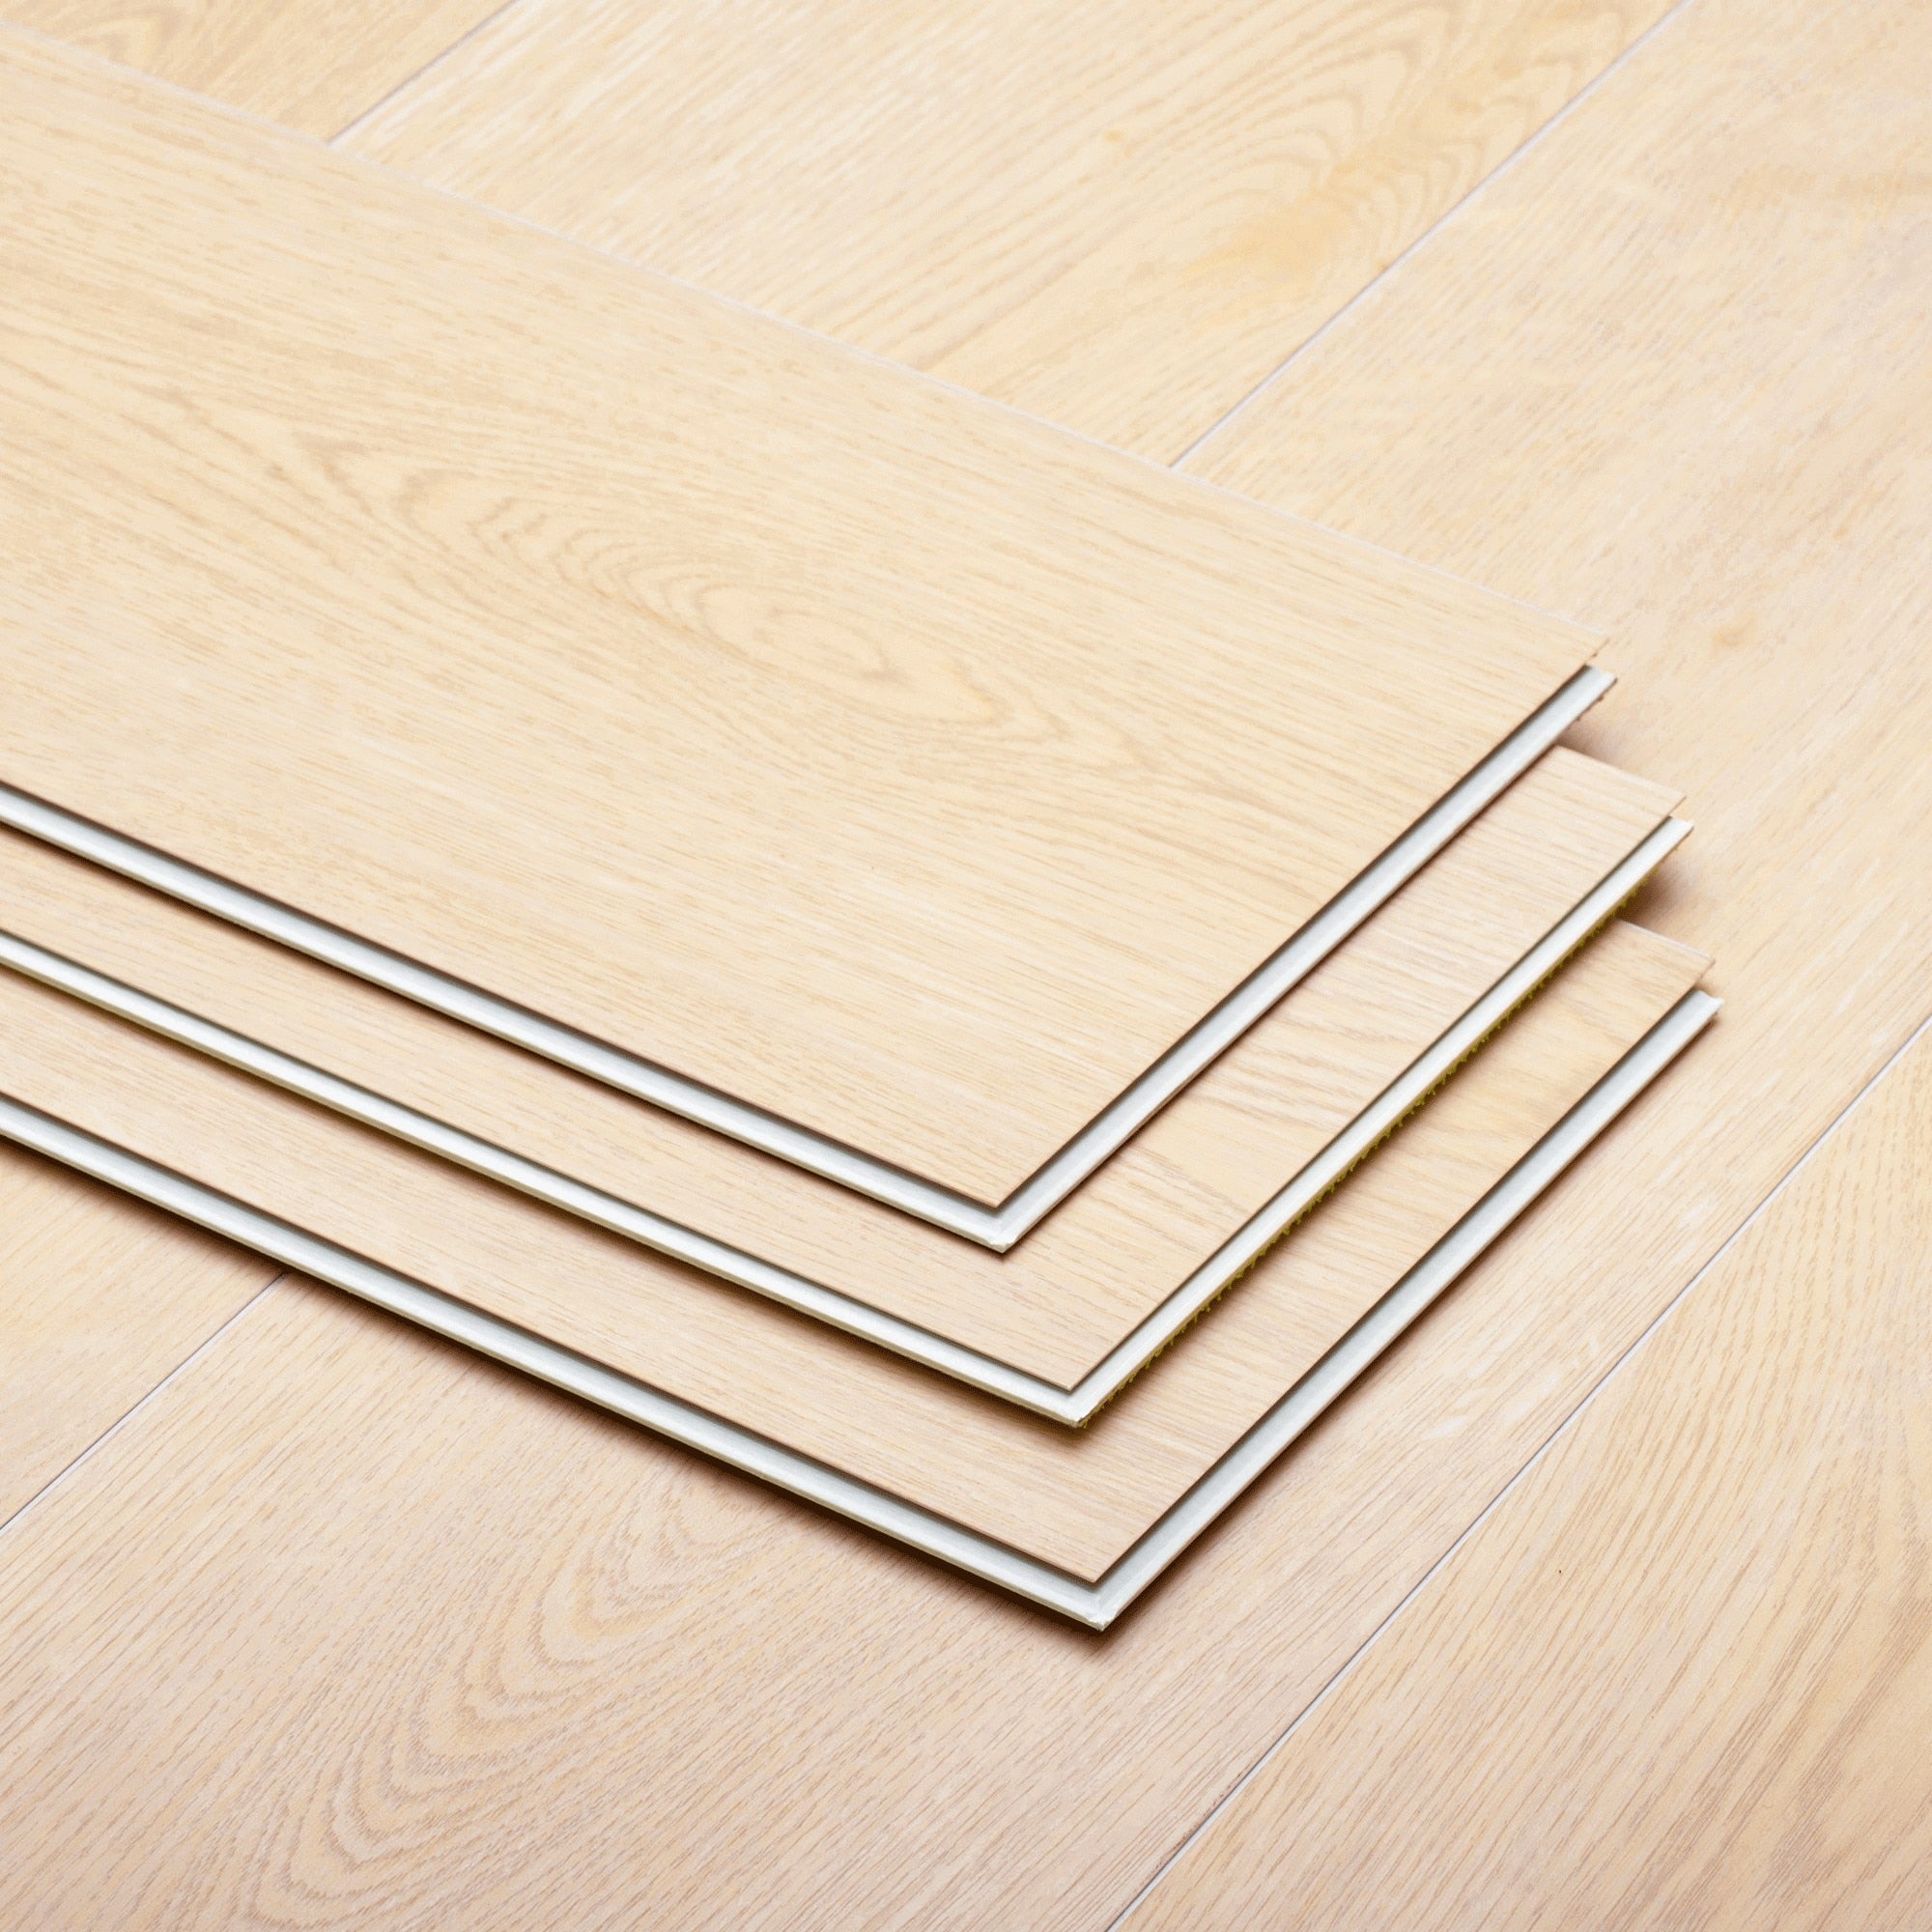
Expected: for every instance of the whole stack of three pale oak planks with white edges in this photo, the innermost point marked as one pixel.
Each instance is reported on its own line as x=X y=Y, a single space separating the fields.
x=940 y=963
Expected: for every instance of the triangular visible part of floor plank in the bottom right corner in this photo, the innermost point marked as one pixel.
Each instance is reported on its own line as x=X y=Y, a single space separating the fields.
x=1684 y=1674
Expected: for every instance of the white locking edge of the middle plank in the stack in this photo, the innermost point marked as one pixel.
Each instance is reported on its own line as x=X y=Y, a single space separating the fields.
x=791 y=1290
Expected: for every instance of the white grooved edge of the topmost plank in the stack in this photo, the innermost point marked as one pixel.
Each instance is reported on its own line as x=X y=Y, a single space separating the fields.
x=992 y=1228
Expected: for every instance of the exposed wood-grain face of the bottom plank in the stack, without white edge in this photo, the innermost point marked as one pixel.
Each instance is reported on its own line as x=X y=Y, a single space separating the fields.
x=1073 y=1498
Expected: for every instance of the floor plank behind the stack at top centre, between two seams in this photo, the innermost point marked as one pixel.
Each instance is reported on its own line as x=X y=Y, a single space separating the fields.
x=1118 y=215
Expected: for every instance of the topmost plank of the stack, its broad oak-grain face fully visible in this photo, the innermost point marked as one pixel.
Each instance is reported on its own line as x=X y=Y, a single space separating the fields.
x=1046 y=768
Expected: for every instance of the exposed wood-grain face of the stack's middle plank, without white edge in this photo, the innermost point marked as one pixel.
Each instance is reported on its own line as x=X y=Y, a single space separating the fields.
x=1100 y=1263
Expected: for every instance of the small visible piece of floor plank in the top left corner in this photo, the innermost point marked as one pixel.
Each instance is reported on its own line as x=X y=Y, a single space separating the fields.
x=310 y=65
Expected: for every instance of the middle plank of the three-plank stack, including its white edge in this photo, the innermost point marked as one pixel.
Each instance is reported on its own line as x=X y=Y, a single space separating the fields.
x=1108 y=1280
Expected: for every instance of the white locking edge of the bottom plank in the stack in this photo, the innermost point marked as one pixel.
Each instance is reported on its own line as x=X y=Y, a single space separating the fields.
x=1093 y=1605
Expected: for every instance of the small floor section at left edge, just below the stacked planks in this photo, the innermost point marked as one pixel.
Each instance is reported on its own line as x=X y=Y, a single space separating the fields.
x=99 y=1301
